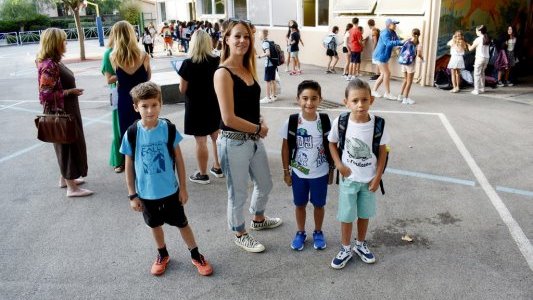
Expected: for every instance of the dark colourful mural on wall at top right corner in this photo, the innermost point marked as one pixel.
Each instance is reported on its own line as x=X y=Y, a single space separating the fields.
x=497 y=15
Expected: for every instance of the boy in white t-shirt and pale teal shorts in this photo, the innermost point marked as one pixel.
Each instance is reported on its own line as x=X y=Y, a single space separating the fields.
x=360 y=169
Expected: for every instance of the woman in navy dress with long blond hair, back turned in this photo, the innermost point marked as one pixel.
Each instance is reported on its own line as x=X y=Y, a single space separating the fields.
x=132 y=66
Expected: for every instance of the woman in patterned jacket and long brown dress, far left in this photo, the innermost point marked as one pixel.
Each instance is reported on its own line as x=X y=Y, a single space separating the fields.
x=58 y=92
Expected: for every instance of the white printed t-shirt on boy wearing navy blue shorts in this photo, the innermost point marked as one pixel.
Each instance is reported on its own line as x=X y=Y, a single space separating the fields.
x=311 y=160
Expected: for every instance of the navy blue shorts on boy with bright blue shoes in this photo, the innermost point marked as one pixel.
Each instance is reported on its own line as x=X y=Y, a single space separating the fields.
x=310 y=189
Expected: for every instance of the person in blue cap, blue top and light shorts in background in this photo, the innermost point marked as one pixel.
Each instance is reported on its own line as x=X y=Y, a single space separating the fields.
x=388 y=39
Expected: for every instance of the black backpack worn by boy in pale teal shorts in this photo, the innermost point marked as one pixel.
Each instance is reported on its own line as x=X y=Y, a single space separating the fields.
x=379 y=126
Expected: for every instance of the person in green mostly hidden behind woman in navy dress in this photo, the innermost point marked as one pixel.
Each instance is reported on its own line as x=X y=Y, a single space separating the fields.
x=116 y=159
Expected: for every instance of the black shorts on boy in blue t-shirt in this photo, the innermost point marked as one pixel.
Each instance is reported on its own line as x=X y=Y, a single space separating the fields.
x=165 y=210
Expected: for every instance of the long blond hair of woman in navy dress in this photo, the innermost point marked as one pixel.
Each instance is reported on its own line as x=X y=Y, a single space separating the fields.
x=126 y=52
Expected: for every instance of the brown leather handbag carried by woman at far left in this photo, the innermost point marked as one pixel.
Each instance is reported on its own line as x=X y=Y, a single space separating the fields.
x=56 y=127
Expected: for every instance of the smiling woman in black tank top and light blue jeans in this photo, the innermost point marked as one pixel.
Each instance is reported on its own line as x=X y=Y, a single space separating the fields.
x=241 y=150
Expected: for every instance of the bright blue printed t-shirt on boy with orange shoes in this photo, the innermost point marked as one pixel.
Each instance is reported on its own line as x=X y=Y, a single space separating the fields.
x=155 y=176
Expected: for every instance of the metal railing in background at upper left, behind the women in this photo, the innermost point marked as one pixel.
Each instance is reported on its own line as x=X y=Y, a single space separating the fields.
x=33 y=37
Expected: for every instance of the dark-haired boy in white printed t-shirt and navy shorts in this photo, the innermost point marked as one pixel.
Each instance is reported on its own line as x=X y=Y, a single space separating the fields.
x=306 y=149
